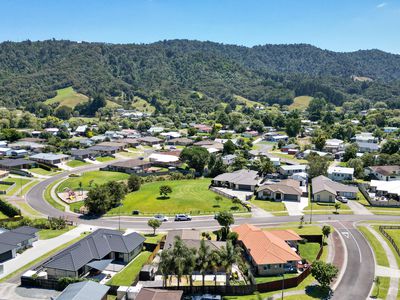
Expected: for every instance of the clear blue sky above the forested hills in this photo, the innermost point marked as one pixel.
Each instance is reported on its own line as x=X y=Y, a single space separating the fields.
x=329 y=24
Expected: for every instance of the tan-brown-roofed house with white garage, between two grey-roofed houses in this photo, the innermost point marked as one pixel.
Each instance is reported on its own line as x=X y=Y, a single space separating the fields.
x=285 y=190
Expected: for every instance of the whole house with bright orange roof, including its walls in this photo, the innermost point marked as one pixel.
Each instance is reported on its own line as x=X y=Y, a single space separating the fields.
x=269 y=252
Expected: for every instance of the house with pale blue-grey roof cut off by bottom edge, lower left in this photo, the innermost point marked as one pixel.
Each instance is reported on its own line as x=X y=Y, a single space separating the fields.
x=84 y=290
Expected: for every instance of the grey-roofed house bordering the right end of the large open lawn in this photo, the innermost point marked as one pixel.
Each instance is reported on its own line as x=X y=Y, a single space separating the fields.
x=239 y=180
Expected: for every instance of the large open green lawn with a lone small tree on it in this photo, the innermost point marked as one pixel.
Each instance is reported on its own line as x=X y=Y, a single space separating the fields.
x=188 y=196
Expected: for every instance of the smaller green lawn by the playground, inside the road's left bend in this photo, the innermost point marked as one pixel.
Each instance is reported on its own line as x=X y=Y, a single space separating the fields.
x=98 y=177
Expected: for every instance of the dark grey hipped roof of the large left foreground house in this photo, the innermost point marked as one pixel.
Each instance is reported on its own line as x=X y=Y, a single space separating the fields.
x=94 y=247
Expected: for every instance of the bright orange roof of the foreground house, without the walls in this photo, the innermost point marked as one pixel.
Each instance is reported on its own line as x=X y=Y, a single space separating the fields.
x=267 y=247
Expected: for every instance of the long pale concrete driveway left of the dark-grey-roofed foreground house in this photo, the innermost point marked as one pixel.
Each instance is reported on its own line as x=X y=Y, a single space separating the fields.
x=40 y=248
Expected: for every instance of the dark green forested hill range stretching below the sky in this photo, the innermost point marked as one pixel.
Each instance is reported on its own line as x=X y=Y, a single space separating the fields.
x=172 y=70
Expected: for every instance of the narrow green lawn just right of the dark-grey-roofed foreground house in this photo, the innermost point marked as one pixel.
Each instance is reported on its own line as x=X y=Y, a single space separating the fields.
x=131 y=271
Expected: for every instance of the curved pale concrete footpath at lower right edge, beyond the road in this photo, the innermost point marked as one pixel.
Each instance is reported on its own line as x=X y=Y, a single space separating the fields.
x=394 y=279
